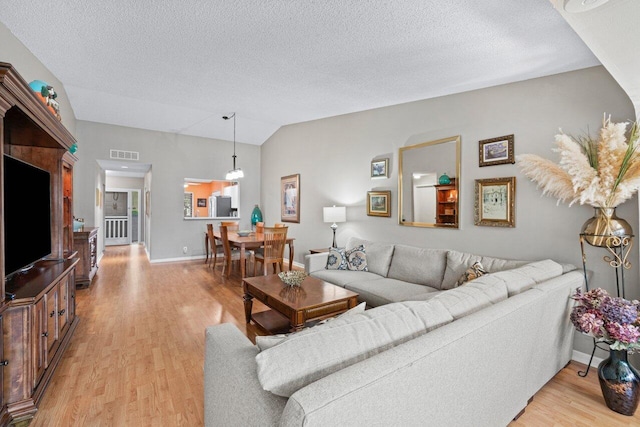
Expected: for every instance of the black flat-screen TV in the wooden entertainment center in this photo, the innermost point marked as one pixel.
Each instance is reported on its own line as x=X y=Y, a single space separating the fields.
x=27 y=215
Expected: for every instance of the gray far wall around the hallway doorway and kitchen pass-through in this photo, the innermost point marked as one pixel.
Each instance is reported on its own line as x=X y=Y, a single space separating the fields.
x=173 y=157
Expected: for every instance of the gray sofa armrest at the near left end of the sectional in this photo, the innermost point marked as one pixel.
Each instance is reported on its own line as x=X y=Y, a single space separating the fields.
x=231 y=380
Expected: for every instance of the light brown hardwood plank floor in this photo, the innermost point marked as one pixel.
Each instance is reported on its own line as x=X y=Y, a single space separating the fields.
x=137 y=356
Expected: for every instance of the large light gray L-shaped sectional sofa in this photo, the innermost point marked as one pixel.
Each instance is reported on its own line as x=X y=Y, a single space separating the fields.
x=428 y=353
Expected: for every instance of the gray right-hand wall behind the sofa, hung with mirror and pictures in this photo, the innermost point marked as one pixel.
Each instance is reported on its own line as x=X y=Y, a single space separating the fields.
x=333 y=157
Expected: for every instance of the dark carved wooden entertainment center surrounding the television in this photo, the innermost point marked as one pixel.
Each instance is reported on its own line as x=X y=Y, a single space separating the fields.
x=37 y=307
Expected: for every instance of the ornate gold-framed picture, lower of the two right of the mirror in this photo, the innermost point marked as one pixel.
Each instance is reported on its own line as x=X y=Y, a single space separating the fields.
x=495 y=202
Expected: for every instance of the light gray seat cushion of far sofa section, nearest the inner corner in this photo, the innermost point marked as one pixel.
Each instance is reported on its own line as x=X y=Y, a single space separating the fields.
x=385 y=291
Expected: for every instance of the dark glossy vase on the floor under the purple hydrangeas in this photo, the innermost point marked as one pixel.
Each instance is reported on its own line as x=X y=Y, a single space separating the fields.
x=620 y=383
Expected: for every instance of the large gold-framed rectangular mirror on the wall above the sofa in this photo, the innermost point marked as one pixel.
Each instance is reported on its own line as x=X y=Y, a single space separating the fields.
x=428 y=183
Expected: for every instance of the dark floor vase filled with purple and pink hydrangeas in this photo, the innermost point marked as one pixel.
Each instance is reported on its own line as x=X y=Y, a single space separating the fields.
x=613 y=321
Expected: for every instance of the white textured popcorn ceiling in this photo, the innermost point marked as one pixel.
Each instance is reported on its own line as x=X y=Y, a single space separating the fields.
x=178 y=66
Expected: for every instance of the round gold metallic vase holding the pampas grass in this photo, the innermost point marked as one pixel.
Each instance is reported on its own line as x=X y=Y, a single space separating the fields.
x=605 y=224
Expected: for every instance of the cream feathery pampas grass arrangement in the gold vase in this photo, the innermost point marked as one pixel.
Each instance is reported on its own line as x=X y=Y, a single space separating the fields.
x=602 y=172
